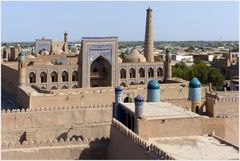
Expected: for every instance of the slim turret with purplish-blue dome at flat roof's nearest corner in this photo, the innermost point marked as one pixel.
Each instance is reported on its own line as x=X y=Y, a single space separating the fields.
x=139 y=103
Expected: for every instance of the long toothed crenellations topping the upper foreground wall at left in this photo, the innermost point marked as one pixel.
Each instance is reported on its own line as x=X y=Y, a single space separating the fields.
x=46 y=109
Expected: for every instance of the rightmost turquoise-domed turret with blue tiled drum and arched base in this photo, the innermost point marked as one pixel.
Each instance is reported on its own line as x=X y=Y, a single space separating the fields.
x=194 y=95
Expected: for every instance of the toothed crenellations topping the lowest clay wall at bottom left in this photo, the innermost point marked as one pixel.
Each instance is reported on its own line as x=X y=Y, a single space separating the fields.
x=55 y=142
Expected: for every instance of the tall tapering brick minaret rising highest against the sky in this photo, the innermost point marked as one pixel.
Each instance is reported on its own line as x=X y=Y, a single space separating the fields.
x=148 y=46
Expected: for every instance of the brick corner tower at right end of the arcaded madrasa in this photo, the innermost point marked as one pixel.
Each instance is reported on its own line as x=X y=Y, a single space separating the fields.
x=168 y=66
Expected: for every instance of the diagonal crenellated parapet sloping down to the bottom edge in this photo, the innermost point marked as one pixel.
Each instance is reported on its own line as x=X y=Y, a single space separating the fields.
x=151 y=148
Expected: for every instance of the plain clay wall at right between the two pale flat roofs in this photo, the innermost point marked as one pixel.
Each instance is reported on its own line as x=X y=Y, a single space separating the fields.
x=226 y=128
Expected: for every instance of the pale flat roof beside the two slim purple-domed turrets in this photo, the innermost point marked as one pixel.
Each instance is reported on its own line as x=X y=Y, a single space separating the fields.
x=160 y=110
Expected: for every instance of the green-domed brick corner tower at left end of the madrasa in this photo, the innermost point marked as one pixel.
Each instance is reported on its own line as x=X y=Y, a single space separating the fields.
x=21 y=68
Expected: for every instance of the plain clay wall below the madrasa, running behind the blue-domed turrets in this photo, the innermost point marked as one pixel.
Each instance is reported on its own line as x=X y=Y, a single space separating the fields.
x=86 y=97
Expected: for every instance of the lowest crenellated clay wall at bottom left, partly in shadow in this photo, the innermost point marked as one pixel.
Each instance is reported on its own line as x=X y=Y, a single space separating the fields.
x=76 y=148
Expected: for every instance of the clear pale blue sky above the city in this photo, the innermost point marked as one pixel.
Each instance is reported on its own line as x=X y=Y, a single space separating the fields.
x=173 y=21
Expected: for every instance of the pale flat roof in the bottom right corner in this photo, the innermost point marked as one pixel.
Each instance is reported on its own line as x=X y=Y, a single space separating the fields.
x=196 y=148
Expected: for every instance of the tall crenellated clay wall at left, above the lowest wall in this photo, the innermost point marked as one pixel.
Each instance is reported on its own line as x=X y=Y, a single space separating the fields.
x=61 y=122
